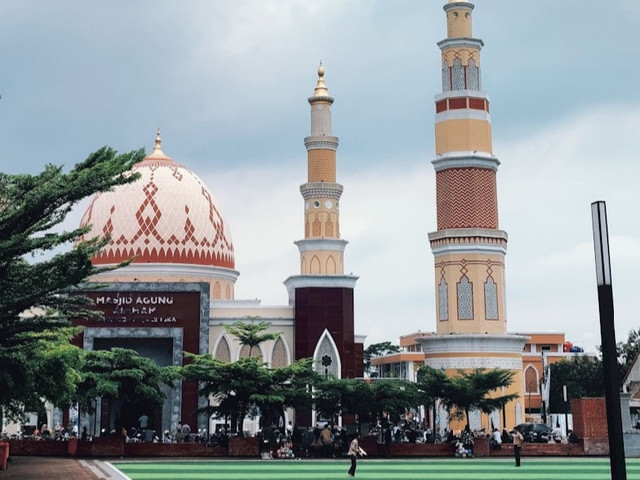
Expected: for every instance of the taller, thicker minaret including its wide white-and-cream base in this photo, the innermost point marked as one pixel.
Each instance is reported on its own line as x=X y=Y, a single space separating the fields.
x=468 y=247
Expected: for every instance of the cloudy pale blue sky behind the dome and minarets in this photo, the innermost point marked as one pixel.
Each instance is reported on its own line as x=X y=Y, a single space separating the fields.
x=228 y=81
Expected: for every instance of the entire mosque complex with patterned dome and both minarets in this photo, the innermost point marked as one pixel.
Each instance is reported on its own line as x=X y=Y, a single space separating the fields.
x=178 y=292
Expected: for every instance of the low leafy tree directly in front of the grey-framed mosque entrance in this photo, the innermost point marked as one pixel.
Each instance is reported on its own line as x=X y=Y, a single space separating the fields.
x=122 y=374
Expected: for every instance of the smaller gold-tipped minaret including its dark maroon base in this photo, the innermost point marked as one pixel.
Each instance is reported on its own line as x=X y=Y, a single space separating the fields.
x=322 y=294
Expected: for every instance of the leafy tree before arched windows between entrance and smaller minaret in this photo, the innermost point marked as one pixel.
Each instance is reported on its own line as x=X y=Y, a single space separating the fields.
x=238 y=387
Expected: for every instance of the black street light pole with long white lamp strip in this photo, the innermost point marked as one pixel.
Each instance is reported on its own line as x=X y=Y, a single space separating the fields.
x=607 y=332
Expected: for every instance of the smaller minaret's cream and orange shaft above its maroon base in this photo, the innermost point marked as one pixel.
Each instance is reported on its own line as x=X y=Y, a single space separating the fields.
x=321 y=251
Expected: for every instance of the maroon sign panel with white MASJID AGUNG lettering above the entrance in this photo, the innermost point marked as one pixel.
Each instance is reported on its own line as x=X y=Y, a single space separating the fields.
x=149 y=309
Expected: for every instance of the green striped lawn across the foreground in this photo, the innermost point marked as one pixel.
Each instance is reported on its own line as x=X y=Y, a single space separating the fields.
x=423 y=469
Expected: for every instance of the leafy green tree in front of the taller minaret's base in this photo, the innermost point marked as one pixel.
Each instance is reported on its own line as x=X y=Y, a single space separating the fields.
x=472 y=391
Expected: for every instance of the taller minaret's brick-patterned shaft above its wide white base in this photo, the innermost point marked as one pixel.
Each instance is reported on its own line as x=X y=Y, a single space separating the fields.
x=468 y=247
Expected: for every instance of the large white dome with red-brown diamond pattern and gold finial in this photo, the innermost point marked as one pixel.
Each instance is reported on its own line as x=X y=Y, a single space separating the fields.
x=167 y=216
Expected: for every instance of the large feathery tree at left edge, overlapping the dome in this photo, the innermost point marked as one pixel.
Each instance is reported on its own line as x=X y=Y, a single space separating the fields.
x=37 y=295
